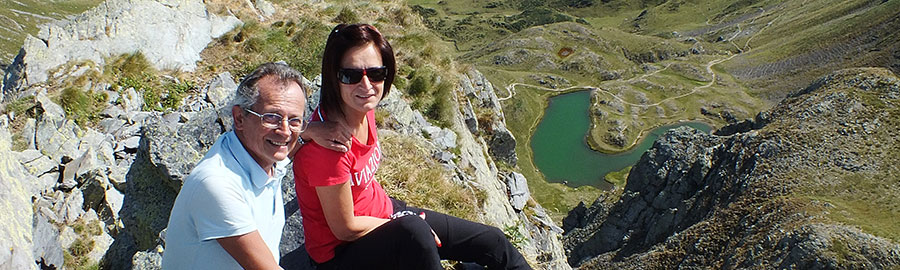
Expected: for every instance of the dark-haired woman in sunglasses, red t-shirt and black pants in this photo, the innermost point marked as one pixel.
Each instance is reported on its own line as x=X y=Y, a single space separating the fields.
x=348 y=219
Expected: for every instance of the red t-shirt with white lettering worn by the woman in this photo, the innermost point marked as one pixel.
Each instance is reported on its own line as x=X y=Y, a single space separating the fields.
x=316 y=166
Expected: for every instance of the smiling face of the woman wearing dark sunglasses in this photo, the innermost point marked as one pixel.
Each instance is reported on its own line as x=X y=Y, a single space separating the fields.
x=363 y=96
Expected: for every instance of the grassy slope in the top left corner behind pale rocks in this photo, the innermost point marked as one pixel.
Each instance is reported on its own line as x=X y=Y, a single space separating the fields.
x=22 y=17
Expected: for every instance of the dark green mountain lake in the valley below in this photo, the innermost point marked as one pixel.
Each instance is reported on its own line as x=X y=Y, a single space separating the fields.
x=562 y=154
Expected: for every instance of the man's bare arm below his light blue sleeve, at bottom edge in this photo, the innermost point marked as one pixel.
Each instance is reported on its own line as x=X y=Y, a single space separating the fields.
x=249 y=251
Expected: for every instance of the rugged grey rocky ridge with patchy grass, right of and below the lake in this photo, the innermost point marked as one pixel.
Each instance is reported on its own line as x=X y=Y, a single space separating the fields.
x=743 y=200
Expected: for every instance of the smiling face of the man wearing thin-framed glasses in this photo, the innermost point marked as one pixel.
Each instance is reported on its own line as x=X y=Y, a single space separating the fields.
x=267 y=145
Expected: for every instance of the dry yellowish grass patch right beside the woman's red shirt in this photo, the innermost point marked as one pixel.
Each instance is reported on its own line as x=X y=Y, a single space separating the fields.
x=409 y=173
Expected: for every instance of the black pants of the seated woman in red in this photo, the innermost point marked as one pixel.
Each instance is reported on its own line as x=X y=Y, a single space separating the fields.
x=407 y=243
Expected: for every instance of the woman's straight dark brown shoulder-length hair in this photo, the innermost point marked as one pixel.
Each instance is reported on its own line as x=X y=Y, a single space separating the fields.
x=342 y=38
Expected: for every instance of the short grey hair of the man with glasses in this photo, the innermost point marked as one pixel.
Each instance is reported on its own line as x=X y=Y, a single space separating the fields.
x=248 y=91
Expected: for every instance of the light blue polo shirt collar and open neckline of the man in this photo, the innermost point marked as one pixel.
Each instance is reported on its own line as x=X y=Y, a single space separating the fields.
x=258 y=176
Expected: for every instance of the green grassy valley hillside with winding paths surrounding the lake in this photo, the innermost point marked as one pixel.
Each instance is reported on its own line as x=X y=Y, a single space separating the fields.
x=652 y=63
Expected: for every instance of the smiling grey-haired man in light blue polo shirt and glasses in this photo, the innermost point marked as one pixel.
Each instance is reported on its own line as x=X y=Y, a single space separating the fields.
x=229 y=213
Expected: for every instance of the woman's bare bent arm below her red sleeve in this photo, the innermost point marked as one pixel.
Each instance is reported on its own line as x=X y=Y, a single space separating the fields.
x=337 y=205
